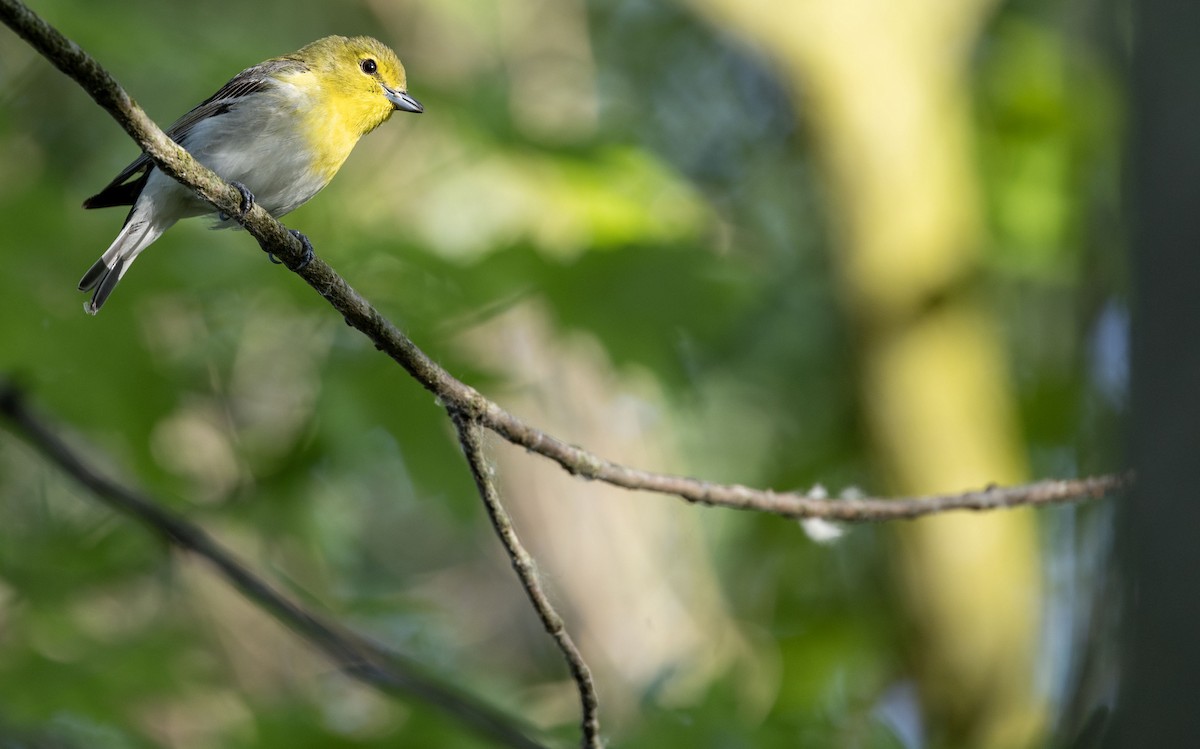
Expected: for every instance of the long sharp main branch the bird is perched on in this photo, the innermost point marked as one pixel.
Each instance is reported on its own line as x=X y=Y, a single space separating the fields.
x=274 y=238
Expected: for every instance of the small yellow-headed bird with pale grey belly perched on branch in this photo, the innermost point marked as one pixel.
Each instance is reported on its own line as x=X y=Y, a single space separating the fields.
x=278 y=131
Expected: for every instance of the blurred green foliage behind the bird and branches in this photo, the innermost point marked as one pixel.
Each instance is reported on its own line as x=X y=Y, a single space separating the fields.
x=658 y=197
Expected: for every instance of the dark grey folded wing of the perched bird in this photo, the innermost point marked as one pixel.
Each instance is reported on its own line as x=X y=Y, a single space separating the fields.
x=125 y=189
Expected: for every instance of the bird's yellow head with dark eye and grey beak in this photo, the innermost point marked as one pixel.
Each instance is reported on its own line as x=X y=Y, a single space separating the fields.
x=361 y=82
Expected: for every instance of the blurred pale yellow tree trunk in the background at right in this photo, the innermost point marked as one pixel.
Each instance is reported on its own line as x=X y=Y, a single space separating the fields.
x=884 y=88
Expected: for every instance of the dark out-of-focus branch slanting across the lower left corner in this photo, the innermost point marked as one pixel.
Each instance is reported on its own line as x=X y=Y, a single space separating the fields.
x=356 y=656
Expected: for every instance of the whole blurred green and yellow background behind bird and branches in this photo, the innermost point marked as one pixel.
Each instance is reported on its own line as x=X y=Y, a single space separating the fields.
x=868 y=247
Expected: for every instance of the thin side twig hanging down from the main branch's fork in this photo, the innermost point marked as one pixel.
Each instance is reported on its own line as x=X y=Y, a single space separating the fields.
x=471 y=439
